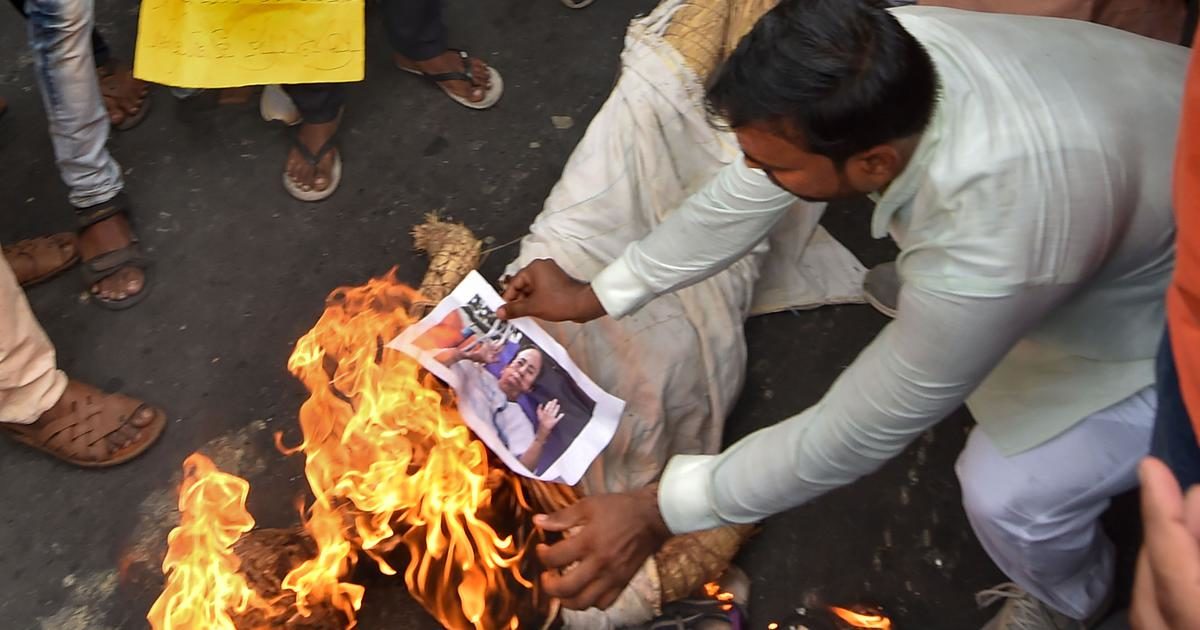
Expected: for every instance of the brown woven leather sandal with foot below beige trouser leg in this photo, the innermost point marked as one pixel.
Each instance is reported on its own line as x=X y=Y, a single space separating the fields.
x=82 y=429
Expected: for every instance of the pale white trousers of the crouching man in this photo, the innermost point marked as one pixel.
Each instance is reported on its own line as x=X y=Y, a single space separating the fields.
x=1037 y=513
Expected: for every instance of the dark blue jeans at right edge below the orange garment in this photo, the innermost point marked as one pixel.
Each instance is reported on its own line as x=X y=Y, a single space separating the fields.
x=1175 y=441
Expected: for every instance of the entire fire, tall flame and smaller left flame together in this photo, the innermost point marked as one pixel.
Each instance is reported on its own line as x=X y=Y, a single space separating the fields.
x=389 y=465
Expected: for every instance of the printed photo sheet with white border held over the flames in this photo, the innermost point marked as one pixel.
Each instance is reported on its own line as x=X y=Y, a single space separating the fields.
x=518 y=389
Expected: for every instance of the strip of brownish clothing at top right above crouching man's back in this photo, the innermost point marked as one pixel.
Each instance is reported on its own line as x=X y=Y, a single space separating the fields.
x=1162 y=20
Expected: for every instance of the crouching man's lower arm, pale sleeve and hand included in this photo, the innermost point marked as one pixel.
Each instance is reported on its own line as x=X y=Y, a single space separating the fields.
x=921 y=368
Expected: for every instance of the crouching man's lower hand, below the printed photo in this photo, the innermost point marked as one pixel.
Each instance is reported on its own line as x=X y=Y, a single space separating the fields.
x=616 y=535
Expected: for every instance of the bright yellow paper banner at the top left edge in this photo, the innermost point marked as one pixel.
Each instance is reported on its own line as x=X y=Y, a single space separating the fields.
x=227 y=44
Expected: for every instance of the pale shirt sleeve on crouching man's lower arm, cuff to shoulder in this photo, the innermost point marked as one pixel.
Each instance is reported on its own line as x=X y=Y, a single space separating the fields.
x=919 y=370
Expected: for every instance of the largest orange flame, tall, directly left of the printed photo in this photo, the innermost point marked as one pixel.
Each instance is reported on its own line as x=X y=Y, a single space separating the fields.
x=382 y=452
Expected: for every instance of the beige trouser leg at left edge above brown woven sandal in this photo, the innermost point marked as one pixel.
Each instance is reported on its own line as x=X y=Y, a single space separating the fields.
x=29 y=381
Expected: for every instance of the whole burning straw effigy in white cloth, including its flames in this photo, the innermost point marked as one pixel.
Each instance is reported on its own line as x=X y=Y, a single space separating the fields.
x=398 y=479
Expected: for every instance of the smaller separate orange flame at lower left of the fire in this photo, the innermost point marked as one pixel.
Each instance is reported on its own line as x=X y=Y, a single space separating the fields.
x=203 y=584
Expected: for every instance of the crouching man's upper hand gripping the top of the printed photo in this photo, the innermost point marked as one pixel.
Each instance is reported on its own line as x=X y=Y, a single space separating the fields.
x=544 y=291
